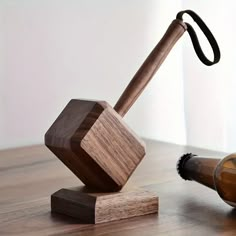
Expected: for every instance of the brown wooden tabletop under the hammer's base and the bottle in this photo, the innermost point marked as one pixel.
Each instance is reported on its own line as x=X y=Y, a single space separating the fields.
x=28 y=176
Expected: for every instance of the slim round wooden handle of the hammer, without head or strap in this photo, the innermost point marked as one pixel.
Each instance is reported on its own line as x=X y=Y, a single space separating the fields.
x=150 y=66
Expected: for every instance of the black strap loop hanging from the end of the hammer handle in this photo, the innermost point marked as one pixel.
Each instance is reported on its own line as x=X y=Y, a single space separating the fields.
x=195 y=41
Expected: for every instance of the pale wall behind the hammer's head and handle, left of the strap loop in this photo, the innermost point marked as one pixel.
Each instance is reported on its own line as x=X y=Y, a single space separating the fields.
x=54 y=50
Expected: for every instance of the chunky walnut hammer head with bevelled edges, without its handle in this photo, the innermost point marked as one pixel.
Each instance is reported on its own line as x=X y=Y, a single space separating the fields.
x=93 y=141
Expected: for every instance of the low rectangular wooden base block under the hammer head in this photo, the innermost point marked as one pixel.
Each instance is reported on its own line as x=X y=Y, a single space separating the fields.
x=91 y=207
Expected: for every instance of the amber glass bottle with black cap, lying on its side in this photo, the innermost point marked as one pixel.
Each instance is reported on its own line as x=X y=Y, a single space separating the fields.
x=217 y=174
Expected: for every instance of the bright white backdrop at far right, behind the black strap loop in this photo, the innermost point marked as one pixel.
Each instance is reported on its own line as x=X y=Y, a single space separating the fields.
x=210 y=99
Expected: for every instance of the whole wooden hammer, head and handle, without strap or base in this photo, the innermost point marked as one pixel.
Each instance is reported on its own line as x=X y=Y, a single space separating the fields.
x=91 y=138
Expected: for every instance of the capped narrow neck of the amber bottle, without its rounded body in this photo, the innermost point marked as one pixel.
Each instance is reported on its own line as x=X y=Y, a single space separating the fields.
x=199 y=169
